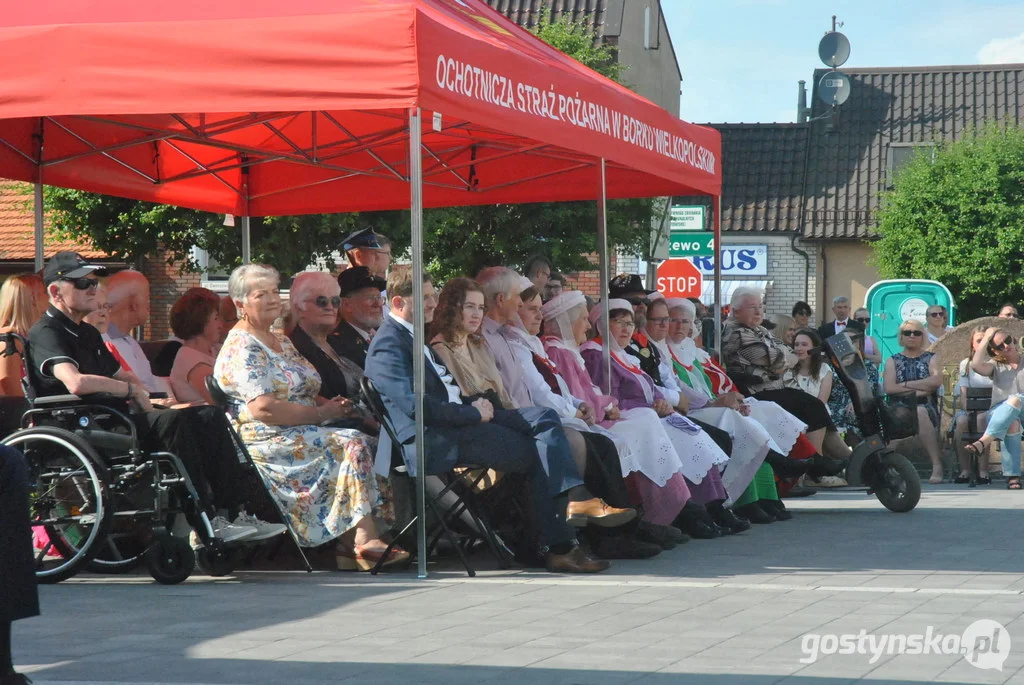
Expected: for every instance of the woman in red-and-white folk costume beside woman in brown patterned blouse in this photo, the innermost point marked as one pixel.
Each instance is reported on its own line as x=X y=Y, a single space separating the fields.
x=697 y=367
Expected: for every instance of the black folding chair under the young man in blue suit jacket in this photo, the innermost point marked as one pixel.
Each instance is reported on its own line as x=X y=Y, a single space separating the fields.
x=450 y=503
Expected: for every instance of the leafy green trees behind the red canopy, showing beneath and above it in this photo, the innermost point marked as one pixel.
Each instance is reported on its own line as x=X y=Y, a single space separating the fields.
x=458 y=241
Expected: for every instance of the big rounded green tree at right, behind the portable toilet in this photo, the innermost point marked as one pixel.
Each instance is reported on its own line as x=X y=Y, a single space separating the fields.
x=958 y=219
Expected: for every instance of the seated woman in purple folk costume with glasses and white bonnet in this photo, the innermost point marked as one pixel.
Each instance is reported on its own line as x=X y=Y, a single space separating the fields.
x=699 y=456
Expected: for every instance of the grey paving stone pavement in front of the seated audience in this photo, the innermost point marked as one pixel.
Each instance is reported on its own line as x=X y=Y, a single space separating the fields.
x=741 y=611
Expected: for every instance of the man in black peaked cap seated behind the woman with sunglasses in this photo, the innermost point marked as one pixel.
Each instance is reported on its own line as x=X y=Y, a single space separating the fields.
x=362 y=312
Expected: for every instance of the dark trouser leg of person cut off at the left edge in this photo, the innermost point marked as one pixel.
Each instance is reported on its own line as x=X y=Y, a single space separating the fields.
x=19 y=597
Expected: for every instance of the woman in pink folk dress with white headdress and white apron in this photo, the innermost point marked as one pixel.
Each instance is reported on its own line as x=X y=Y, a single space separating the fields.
x=653 y=467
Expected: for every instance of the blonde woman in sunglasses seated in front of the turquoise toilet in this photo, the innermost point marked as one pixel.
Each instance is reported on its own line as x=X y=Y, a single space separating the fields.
x=916 y=370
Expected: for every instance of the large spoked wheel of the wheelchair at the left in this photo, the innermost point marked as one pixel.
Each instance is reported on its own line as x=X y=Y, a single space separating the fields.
x=69 y=498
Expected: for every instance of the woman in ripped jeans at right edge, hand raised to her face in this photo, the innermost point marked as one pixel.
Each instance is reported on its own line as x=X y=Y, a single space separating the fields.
x=998 y=357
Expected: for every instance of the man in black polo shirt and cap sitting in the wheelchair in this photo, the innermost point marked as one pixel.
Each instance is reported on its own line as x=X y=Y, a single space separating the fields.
x=68 y=357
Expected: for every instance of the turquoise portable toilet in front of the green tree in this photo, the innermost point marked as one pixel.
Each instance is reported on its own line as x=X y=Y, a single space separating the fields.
x=892 y=303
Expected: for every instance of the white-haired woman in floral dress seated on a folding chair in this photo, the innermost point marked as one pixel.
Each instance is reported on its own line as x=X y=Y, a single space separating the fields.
x=323 y=477
